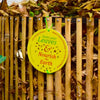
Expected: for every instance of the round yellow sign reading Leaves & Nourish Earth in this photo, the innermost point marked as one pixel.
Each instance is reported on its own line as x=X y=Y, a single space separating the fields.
x=47 y=51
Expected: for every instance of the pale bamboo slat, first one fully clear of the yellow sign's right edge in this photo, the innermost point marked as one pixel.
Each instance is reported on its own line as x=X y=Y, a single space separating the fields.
x=79 y=57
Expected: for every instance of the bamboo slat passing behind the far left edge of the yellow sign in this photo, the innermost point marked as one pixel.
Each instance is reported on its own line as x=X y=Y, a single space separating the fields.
x=30 y=66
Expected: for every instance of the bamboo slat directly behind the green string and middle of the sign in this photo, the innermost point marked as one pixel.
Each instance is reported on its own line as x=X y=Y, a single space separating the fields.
x=49 y=76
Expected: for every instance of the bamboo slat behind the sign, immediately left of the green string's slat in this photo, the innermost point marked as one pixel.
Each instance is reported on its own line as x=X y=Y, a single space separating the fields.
x=40 y=75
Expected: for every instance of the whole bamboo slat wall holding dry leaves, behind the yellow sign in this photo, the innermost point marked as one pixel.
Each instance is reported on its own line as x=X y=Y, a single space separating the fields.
x=17 y=73
